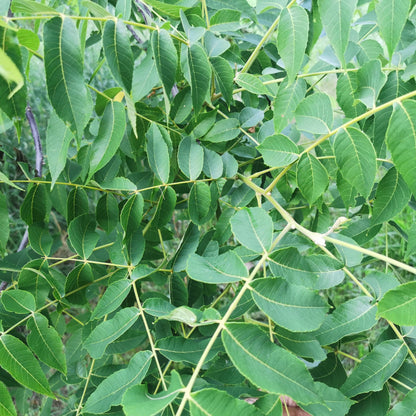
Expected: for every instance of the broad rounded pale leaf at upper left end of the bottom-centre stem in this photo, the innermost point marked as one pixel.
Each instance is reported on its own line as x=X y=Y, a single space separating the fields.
x=253 y=228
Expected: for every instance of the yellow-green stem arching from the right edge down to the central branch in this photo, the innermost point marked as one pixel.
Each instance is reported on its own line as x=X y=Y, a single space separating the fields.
x=343 y=126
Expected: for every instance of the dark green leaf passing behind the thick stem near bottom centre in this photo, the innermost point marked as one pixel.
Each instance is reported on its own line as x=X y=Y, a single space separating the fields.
x=187 y=349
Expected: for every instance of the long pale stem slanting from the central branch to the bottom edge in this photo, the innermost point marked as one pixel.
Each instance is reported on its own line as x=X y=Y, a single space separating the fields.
x=224 y=320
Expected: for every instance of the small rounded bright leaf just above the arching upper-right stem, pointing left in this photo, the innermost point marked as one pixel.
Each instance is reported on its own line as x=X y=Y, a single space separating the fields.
x=278 y=151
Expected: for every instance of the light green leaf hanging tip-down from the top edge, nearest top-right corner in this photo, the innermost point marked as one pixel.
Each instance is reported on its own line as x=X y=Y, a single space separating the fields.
x=391 y=18
